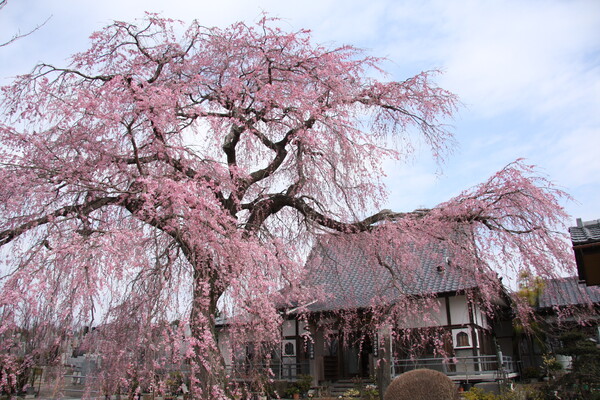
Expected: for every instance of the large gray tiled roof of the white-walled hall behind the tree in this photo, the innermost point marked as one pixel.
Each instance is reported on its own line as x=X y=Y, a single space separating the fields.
x=351 y=276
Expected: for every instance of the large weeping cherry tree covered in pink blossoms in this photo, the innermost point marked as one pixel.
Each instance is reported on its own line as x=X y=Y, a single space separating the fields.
x=165 y=174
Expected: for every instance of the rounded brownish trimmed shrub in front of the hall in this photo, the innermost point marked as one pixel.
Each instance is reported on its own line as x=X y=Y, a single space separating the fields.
x=422 y=384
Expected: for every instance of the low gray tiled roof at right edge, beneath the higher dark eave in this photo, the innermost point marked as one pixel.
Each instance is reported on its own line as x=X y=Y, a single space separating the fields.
x=568 y=292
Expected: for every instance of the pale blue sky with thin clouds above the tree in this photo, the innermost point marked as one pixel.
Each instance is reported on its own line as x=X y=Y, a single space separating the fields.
x=527 y=73
